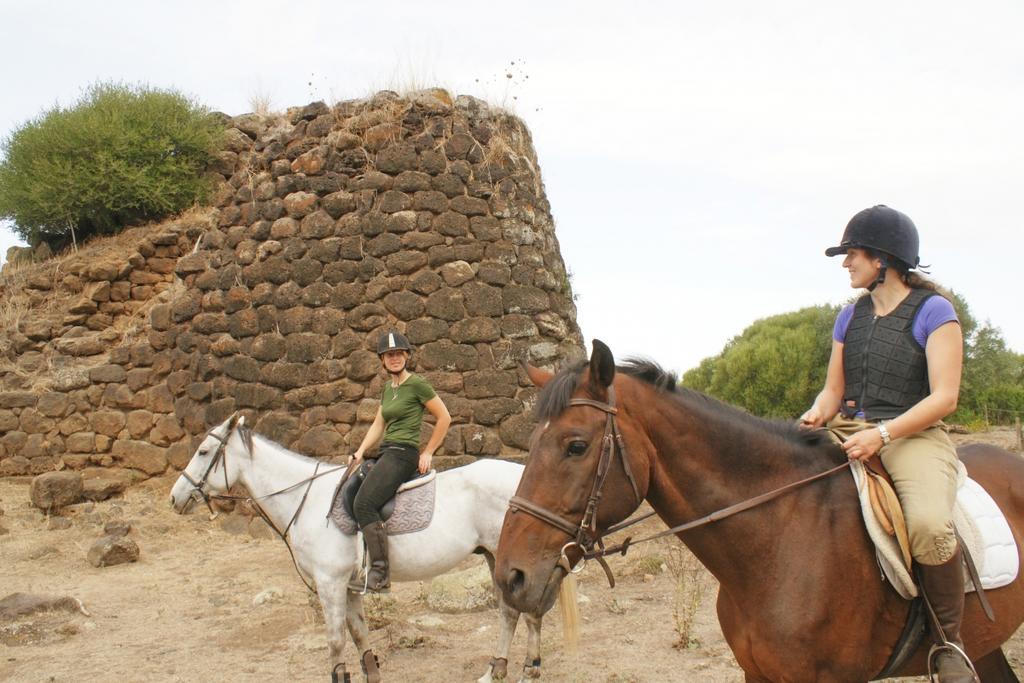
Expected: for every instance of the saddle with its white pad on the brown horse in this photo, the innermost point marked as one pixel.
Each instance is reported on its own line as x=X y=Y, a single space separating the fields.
x=979 y=523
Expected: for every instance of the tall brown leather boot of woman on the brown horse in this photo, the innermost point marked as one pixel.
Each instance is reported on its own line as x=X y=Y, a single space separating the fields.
x=944 y=586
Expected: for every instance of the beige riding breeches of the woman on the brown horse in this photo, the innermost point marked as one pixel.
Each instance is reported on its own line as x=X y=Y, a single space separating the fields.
x=923 y=467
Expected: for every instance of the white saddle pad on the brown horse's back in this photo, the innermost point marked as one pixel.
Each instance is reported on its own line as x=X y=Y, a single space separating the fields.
x=979 y=523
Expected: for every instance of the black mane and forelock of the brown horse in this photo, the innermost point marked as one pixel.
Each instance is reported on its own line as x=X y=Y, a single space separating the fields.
x=556 y=396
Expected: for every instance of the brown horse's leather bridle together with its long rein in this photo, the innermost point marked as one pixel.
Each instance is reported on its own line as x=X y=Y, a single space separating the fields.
x=585 y=535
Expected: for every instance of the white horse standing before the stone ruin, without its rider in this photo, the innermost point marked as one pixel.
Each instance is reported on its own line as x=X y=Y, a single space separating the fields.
x=294 y=493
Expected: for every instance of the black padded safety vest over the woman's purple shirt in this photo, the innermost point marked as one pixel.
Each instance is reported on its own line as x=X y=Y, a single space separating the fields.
x=885 y=368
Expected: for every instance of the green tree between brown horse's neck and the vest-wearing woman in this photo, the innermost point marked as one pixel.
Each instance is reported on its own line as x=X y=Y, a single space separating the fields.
x=776 y=367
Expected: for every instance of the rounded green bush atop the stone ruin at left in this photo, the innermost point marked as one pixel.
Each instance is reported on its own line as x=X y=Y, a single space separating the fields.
x=120 y=155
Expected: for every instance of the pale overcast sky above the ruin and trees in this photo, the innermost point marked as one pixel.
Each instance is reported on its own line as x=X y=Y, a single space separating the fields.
x=699 y=157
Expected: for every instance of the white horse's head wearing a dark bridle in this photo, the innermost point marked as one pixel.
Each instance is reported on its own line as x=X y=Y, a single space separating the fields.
x=214 y=468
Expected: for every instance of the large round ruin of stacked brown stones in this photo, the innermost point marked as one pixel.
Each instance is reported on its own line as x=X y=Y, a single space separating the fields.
x=331 y=226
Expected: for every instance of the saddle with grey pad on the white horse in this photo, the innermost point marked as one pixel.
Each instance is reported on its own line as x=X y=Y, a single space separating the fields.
x=411 y=509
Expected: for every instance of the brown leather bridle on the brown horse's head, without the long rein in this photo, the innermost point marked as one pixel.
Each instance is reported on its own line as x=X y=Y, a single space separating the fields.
x=585 y=535
